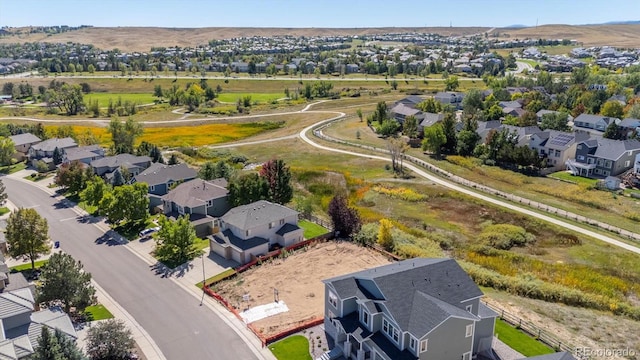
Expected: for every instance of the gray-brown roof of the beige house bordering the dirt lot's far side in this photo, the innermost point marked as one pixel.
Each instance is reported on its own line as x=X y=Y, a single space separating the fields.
x=257 y=213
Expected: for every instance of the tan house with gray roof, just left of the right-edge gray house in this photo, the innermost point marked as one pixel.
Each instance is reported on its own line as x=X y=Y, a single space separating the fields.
x=556 y=146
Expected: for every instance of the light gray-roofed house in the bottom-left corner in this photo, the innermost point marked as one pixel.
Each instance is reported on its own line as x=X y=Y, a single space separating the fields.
x=21 y=326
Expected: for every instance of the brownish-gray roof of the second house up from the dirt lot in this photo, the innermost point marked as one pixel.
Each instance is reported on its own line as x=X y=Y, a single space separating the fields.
x=197 y=192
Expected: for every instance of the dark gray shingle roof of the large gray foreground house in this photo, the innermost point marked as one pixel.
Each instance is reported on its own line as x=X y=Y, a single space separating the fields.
x=410 y=287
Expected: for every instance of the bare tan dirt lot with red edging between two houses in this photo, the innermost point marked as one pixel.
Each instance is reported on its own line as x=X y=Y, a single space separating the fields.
x=298 y=279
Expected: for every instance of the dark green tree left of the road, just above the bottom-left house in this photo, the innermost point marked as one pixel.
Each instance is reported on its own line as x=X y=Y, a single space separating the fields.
x=64 y=279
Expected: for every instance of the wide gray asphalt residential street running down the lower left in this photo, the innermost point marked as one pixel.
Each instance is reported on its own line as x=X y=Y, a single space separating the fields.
x=181 y=328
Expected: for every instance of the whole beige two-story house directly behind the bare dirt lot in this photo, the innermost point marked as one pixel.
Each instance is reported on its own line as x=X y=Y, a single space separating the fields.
x=250 y=230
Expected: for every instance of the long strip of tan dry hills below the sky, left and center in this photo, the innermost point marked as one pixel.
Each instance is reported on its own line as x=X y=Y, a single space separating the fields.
x=143 y=38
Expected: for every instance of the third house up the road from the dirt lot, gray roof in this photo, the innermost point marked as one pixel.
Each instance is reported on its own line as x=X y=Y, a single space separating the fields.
x=161 y=177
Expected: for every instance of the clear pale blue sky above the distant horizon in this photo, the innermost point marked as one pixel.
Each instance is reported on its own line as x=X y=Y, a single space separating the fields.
x=313 y=13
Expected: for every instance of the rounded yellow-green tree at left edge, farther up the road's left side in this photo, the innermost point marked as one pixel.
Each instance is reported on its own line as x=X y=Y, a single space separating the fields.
x=27 y=234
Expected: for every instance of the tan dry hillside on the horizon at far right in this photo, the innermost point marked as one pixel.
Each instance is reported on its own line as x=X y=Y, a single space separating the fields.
x=588 y=35
